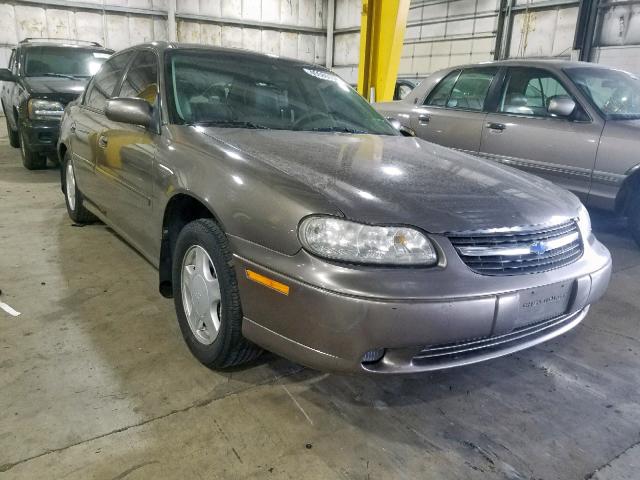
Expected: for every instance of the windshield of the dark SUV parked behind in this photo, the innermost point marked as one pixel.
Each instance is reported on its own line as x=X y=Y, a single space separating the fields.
x=63 y=61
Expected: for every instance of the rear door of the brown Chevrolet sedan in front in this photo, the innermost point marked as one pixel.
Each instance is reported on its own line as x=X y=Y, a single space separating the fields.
x=89 y=121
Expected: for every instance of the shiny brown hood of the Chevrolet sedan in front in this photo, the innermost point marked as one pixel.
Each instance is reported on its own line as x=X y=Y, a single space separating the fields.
x=402 y=180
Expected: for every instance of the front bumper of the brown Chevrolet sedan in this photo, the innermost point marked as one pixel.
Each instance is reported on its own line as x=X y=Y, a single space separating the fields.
x=334 y=314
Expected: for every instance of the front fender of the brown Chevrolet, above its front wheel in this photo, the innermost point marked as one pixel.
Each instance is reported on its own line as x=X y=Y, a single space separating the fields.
x=250 y=199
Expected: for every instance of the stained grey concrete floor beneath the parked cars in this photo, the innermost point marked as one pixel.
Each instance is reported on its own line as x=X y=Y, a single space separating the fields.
x=96 y=382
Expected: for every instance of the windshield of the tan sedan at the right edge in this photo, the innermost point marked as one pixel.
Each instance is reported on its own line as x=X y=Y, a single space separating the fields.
x=614 y=92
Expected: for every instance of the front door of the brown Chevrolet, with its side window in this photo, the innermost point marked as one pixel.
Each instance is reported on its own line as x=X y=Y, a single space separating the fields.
x=125 y=158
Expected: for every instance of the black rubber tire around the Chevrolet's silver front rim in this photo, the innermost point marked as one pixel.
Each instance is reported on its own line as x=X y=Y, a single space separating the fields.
x=229 y=348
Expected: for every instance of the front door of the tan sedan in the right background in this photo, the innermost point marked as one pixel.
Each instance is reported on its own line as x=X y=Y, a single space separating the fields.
x=522 y=133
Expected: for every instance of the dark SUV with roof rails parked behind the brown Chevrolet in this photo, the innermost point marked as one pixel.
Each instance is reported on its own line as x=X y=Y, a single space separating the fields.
x=44 y=75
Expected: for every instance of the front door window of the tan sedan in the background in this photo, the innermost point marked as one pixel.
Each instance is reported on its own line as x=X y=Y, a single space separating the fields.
x=529 y=90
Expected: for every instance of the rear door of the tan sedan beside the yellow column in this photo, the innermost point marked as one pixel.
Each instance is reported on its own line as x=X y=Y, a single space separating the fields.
x=453 y=113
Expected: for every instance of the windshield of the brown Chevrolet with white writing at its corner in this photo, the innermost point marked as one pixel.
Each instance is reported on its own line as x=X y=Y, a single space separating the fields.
x=228 y=90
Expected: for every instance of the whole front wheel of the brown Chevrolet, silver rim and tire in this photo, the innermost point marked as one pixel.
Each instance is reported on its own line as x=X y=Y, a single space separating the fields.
x=206 y=297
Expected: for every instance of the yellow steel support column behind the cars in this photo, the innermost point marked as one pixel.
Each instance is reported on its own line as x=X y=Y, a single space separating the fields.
x=381 y=36
